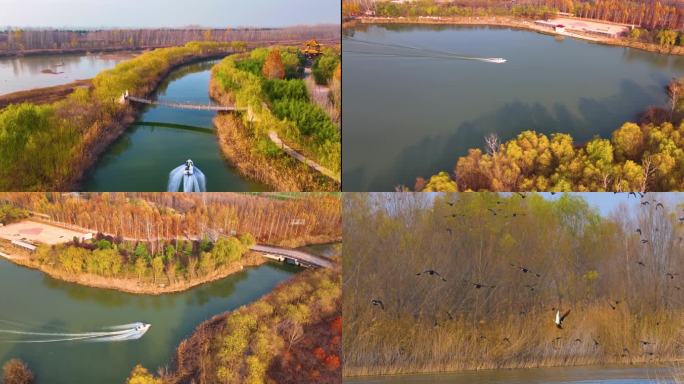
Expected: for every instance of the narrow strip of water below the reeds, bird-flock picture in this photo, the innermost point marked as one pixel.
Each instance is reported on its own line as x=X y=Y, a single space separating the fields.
x=564 y=375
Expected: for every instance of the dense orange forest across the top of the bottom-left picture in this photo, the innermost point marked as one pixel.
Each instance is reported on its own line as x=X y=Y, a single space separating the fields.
x=158 y=217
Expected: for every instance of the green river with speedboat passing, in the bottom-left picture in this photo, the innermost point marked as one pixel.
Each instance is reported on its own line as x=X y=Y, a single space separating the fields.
x=32 y=301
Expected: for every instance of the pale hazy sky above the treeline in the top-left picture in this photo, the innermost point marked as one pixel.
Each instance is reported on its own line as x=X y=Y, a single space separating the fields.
x=167 y=13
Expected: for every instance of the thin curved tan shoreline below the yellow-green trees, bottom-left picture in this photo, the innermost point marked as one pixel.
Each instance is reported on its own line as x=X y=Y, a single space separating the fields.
x=251 y=259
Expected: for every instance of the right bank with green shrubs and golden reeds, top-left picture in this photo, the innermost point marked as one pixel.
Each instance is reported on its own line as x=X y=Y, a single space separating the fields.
x=280 y=104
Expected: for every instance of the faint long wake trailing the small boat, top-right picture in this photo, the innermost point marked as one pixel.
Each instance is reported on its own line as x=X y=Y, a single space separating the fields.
x=399 y=50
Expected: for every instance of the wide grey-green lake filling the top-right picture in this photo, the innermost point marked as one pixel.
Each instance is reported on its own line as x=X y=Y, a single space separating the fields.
x=406 y=117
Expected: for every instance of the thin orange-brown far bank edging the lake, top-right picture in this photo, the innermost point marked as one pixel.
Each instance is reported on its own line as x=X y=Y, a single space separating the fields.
x=513 y=22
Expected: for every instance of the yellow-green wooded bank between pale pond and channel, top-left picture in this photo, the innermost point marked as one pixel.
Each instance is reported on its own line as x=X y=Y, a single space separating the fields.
x=52 y=146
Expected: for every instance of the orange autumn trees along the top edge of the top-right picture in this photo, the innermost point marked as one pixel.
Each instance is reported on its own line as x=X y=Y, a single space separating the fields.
x=651 y=16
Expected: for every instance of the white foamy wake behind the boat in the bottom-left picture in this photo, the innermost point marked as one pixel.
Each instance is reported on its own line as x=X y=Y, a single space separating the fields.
x=123 y=332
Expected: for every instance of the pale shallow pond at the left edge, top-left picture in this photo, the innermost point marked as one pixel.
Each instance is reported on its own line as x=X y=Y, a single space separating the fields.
x=24 y=73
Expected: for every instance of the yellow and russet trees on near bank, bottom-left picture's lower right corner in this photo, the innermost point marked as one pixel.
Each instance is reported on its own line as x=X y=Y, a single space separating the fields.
x=292 y=335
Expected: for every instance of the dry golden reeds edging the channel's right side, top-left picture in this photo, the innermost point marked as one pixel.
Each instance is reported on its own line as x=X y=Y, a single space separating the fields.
x=238 y=145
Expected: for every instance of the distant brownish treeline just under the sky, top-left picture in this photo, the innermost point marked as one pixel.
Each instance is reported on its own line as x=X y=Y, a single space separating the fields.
x=16 y=40
